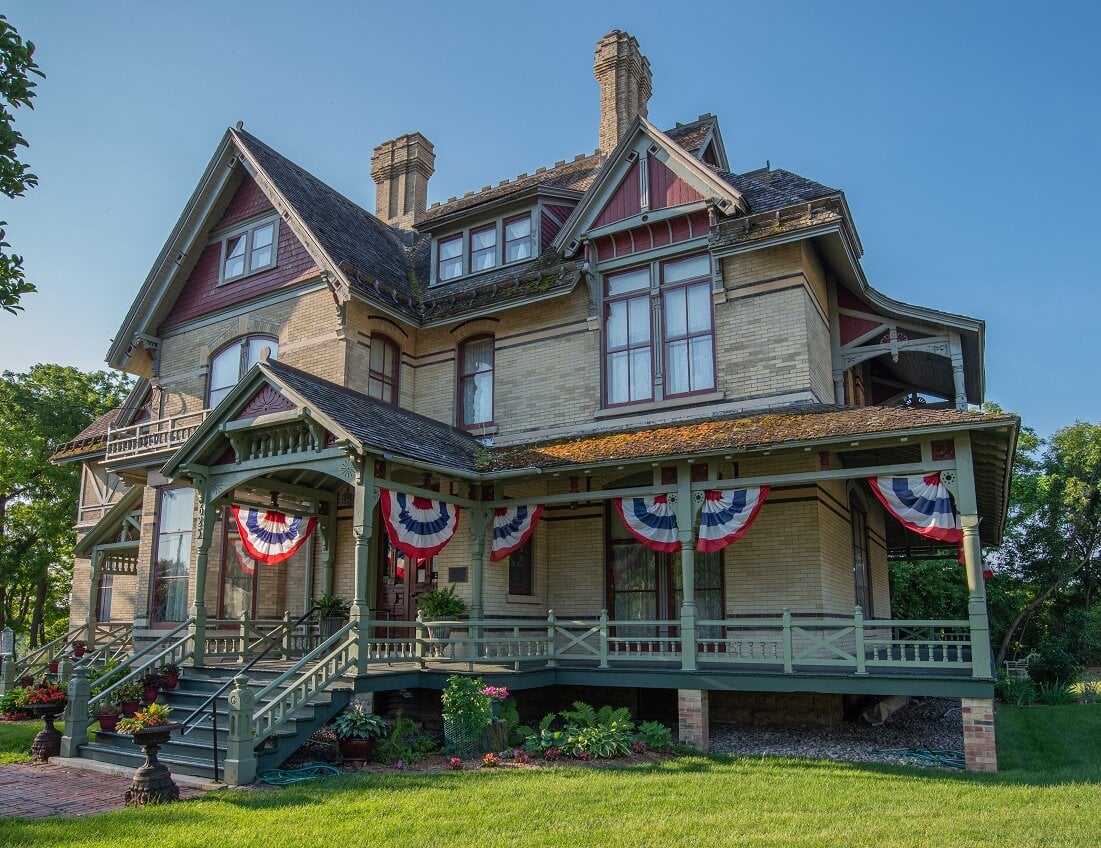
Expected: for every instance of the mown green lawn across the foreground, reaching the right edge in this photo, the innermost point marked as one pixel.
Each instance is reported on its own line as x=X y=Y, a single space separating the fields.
x=689 y=802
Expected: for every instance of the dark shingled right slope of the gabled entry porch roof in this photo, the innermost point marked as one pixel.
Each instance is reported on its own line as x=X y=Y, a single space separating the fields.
x=383 y=426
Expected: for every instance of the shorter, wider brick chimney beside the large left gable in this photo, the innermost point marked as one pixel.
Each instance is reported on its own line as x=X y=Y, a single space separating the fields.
x=401 y=169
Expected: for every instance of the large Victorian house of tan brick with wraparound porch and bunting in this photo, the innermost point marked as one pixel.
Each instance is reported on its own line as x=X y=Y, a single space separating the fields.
x=641 y=409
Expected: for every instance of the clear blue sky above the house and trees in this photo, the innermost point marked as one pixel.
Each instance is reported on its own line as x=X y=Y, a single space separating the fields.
x=964 y=134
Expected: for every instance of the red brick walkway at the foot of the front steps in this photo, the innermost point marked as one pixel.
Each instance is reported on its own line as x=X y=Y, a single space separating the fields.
x=38 y=791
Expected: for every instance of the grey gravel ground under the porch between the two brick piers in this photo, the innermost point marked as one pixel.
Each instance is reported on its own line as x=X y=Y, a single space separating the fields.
x=924 y=723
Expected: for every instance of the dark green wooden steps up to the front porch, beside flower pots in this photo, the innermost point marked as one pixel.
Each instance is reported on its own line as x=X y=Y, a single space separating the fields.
x=193 y=754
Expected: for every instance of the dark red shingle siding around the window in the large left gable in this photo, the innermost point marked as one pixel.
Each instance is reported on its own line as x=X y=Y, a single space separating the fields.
x=202 y=295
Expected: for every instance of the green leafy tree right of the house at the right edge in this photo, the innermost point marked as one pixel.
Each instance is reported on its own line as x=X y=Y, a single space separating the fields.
x=1054 y=530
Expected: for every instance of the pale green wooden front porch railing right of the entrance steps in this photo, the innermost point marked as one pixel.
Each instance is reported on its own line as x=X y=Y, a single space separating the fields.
x=787 y=644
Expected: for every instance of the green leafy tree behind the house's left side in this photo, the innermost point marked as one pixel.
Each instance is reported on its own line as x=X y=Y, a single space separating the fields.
x=41 y=410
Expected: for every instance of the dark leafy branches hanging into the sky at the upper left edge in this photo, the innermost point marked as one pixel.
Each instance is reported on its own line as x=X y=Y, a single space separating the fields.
x=17 y=90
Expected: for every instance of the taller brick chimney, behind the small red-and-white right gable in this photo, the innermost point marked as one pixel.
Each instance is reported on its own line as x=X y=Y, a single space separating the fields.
x=626 y=83
